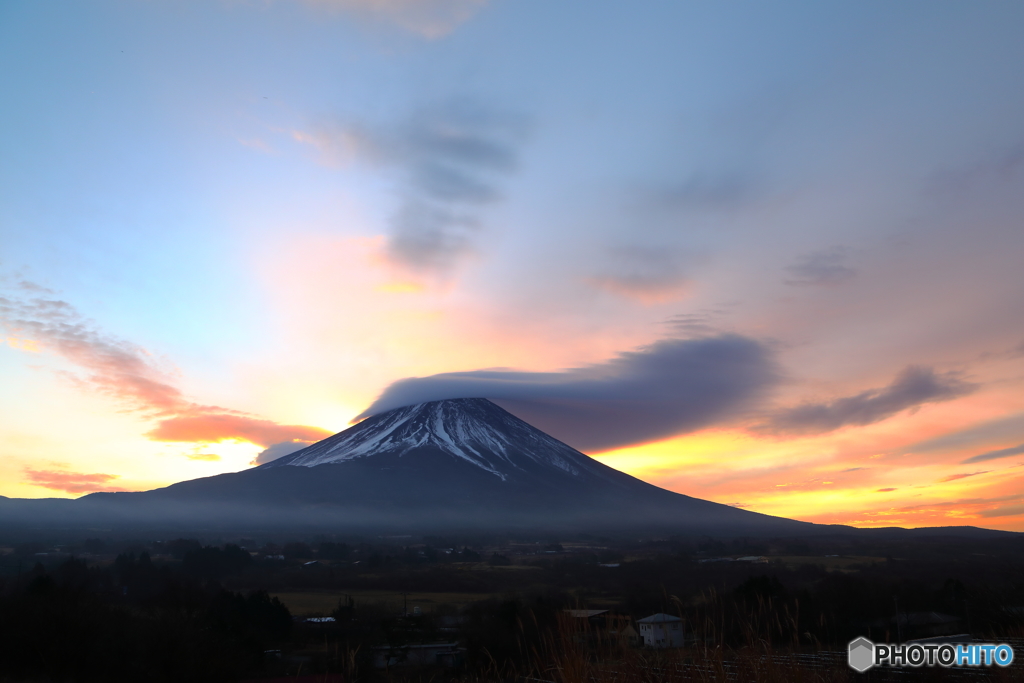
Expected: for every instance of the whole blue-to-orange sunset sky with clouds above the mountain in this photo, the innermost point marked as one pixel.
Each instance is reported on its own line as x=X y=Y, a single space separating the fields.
x=765 y=254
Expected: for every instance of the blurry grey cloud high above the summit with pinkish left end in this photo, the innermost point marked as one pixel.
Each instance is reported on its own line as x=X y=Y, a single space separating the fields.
x=451 y=159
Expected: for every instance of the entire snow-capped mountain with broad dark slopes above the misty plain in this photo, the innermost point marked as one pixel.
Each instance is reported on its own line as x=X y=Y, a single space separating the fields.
x=462 y=463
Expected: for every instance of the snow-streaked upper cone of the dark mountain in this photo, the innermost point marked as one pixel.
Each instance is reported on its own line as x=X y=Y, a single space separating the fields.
x=475 y=432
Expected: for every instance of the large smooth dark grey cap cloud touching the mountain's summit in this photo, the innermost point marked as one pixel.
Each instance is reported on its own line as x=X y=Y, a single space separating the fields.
x=667 y=389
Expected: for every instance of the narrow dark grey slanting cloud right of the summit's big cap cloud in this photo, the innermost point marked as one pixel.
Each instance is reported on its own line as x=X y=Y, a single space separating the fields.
x=912 y=388
